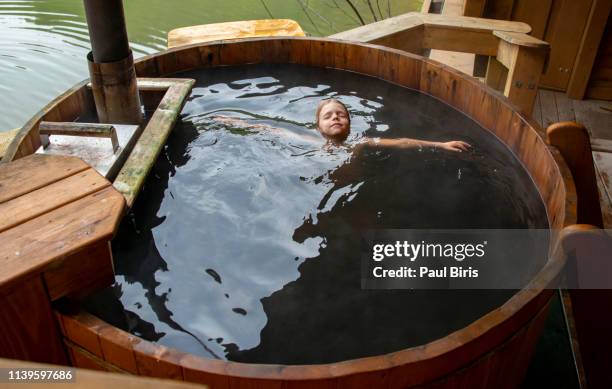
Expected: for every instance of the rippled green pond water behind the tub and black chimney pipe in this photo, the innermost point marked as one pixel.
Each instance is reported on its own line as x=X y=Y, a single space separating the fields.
x=43 y=43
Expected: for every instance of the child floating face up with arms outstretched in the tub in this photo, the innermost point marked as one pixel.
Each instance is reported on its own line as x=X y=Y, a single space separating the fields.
x=333 y=122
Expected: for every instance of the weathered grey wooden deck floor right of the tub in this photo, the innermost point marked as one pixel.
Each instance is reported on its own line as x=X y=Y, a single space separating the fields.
x=596 y=116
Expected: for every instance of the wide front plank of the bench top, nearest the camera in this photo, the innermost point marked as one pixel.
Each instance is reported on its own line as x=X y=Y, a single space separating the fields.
x=32 y=246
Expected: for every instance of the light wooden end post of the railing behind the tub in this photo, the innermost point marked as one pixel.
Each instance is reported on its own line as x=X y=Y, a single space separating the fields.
x=524 y=56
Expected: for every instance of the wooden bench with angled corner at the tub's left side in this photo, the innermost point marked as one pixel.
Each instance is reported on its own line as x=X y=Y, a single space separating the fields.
x=58 y=217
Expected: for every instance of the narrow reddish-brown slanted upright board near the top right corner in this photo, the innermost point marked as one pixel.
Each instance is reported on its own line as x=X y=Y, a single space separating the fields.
x=596 y=25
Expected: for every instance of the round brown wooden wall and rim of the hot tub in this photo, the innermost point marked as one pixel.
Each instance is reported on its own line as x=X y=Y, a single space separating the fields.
x=493 y=351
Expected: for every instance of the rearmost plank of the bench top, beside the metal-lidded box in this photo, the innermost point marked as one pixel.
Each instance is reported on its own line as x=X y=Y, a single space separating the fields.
x=33 y=172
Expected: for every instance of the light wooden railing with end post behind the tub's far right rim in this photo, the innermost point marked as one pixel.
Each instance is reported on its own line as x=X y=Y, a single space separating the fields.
x=517 y=59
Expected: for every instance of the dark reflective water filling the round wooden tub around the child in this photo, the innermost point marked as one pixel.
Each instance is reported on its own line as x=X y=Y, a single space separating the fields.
x=245 y=243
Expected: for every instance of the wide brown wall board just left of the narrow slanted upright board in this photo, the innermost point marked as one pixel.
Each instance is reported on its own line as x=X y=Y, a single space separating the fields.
x=566 y=25
